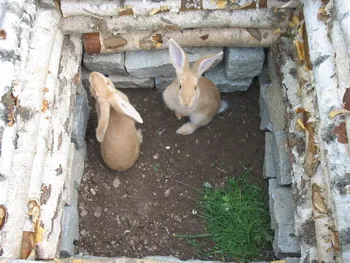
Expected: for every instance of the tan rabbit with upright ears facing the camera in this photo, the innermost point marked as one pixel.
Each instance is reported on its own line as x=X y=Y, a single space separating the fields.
x=190 y=94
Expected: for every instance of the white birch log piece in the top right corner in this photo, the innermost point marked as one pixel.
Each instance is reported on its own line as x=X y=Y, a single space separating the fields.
x=342 y=8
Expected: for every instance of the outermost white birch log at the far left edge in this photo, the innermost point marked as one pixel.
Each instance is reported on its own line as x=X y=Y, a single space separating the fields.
x=16 y=23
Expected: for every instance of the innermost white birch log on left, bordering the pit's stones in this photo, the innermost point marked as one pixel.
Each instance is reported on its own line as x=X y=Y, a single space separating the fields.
x=56 y=168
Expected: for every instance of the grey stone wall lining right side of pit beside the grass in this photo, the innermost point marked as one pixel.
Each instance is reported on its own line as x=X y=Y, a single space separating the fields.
x=277 y=168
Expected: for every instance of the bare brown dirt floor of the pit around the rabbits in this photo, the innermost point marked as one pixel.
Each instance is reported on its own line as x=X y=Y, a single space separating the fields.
x=138 y=213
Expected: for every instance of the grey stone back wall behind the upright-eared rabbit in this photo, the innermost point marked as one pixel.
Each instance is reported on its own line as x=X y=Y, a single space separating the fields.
x=148 y=69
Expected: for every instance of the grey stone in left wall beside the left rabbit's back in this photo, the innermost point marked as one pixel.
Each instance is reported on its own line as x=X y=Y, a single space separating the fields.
x=80 y=119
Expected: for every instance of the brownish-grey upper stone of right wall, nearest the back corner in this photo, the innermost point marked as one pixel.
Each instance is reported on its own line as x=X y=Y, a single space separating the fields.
x=276 y=107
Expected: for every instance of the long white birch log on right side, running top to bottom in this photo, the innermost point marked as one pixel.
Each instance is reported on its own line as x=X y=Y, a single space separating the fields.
x=334 y=158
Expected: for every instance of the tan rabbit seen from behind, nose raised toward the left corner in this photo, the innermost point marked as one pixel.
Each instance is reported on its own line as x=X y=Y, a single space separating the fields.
x=116 y=131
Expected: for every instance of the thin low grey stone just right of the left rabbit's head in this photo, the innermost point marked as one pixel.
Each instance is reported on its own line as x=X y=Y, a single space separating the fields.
x=124 y=82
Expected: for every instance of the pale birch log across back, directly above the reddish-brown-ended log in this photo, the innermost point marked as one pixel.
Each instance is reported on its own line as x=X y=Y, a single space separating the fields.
x=264 y=18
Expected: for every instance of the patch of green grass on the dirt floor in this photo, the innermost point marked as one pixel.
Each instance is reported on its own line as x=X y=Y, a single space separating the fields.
x=237 y=220
